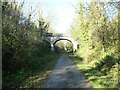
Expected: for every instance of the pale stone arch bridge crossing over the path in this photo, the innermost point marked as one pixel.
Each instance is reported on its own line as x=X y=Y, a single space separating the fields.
x=53 y=38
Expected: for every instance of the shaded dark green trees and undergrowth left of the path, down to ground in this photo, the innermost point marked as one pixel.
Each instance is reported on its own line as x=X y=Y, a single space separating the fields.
x=23 y=51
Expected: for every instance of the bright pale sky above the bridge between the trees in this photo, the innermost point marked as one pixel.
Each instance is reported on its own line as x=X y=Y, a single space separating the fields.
x=60 y=12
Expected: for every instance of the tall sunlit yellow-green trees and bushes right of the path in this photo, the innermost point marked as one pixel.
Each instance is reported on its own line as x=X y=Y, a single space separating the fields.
x=97 y=35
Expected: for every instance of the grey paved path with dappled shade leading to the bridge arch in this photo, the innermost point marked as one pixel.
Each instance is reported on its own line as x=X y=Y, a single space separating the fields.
x=66 y=75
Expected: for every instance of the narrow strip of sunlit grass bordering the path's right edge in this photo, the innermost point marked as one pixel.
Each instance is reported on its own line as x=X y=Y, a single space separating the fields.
x=96 y=78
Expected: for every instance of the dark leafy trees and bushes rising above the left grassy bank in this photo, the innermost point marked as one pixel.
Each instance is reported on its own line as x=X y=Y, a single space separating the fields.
x=20 y=37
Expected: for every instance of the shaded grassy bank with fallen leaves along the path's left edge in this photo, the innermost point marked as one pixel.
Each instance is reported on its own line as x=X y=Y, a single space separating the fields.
x=35 y=76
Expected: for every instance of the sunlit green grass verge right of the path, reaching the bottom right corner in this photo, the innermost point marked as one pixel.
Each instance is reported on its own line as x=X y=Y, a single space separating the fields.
x=95 y=77
